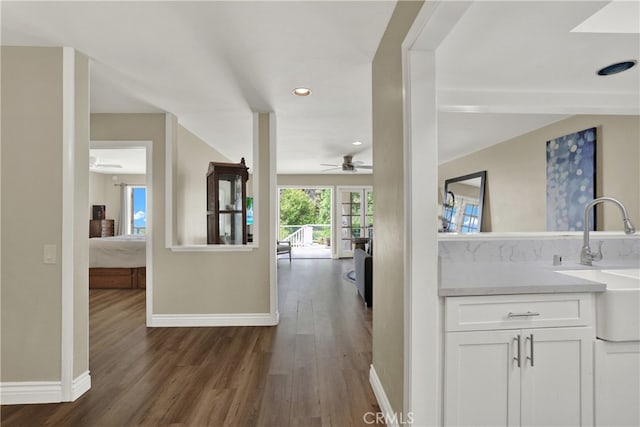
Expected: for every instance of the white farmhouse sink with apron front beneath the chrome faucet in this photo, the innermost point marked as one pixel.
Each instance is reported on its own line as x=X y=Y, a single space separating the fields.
x=617 y=308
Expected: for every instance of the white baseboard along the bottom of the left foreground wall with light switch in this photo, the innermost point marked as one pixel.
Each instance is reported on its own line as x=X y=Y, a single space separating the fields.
x=32 y=392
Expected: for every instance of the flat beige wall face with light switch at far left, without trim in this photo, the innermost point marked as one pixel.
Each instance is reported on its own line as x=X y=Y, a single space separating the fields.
x=31 y=212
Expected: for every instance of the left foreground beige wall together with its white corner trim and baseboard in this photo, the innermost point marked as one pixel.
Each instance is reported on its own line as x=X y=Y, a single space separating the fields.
x=43 y=122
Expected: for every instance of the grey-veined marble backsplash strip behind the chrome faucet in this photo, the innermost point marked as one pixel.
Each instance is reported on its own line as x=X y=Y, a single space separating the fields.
x=532 y=249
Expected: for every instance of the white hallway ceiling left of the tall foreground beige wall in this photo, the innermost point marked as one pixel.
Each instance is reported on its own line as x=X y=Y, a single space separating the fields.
x=212 y=63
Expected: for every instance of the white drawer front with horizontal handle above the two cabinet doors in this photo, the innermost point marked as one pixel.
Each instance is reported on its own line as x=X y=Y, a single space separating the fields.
x=481 y=313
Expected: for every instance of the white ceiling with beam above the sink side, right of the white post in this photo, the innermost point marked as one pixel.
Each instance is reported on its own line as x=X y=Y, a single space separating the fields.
x=511 y=67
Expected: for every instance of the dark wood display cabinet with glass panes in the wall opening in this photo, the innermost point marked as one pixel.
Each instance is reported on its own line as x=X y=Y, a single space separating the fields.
x=227 y=203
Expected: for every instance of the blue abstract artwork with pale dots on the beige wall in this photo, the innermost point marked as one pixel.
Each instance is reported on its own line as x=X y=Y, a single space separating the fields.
x=571 y=180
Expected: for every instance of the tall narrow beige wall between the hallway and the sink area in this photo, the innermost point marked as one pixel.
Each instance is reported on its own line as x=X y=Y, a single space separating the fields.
x=388 y=183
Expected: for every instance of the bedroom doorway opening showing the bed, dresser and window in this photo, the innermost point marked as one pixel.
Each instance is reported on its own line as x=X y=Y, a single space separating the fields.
x=119 y=199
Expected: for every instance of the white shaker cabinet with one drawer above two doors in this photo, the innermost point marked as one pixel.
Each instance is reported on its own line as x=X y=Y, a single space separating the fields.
x=519 y=360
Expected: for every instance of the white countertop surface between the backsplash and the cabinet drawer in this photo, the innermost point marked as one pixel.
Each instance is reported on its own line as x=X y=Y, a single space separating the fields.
x=495 y=278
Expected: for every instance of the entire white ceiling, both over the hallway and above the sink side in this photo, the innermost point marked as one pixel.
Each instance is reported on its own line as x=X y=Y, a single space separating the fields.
x=506 y=68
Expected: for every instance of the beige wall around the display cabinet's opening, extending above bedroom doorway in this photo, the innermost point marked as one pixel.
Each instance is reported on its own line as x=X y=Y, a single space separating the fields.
x=207 y=284
